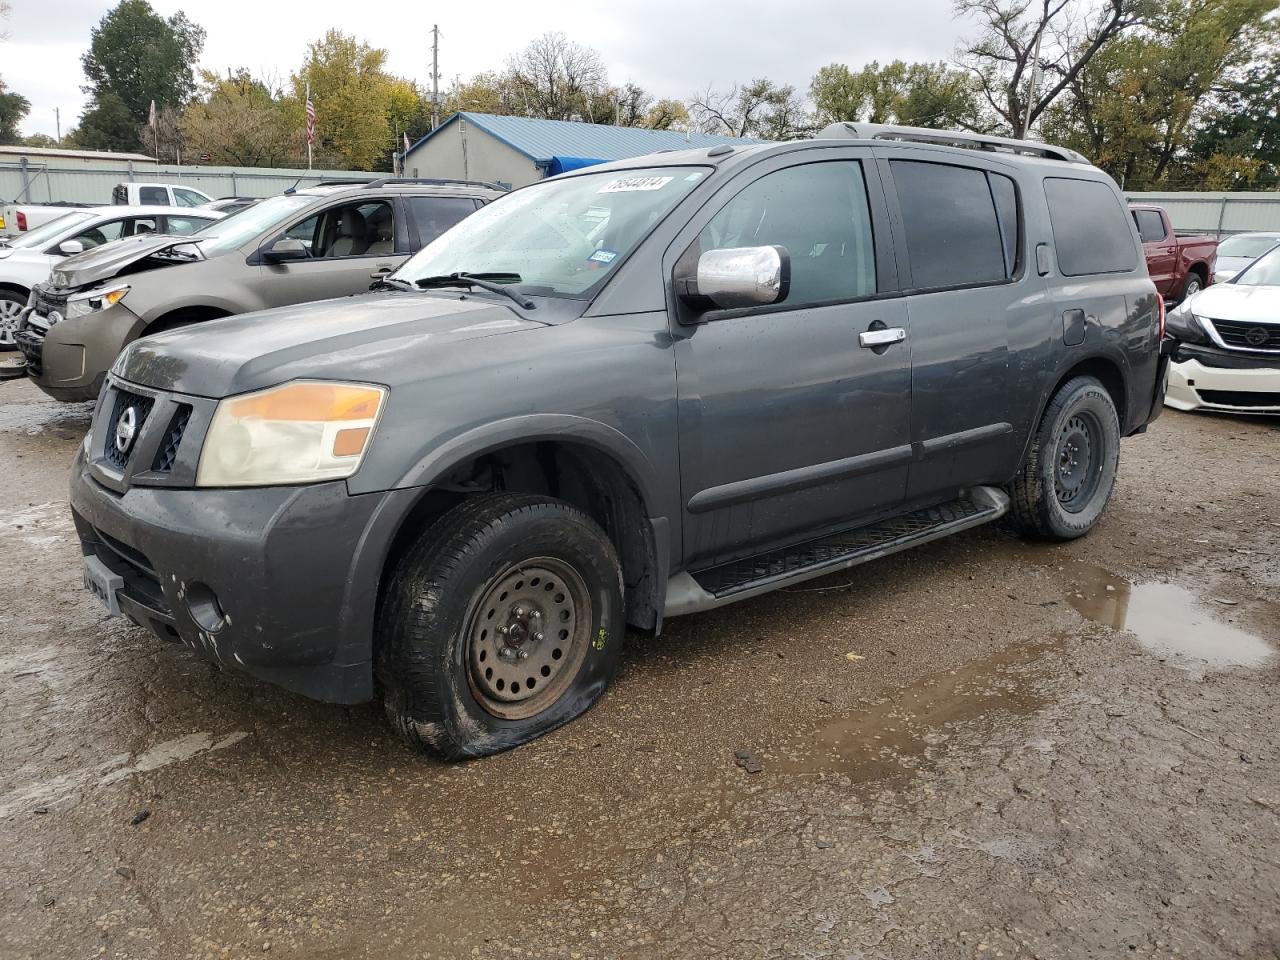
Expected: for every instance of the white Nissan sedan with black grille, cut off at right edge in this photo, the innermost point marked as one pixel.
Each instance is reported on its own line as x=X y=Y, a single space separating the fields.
x=1229 y=344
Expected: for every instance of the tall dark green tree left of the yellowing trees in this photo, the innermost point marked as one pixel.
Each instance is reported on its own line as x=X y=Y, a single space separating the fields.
x=135 y=58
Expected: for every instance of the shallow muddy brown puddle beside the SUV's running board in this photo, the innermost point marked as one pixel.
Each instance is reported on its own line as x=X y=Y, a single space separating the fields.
x=892 y=739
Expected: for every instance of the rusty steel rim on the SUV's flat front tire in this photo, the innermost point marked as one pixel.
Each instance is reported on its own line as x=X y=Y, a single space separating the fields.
x=528 y=633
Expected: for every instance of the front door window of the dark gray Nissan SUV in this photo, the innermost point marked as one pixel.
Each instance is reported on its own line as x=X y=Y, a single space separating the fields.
x=820 y=214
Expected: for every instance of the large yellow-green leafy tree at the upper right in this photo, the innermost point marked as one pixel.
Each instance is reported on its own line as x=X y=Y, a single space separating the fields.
x=1136 y=108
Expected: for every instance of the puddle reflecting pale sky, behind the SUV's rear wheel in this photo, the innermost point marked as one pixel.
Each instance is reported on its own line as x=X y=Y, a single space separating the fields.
x=1169 y=620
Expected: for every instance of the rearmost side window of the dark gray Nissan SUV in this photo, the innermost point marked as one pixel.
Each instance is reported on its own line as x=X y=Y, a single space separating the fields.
x=1091 y=230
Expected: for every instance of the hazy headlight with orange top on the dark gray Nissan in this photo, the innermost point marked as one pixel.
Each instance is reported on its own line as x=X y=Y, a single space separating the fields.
x=298 y=433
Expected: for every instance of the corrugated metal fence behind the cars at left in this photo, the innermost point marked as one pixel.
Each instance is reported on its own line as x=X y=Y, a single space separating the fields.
x=35 y=182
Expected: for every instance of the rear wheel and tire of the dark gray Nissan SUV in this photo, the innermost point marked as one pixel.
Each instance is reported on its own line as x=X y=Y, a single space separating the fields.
x=1069 y=474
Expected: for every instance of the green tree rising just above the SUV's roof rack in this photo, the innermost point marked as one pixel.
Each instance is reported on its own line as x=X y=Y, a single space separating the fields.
x=917 y=94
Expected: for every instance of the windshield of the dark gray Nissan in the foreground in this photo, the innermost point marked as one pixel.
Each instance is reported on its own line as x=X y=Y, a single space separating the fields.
x=564 y=237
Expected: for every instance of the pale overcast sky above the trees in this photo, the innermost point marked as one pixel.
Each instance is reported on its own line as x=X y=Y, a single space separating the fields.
x=671 y=48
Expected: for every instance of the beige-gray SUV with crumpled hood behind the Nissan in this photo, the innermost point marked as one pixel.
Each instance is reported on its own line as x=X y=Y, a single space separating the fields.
x=326 y=241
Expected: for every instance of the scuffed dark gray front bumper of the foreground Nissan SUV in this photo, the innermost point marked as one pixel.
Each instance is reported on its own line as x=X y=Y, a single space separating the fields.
x=280 y=583
